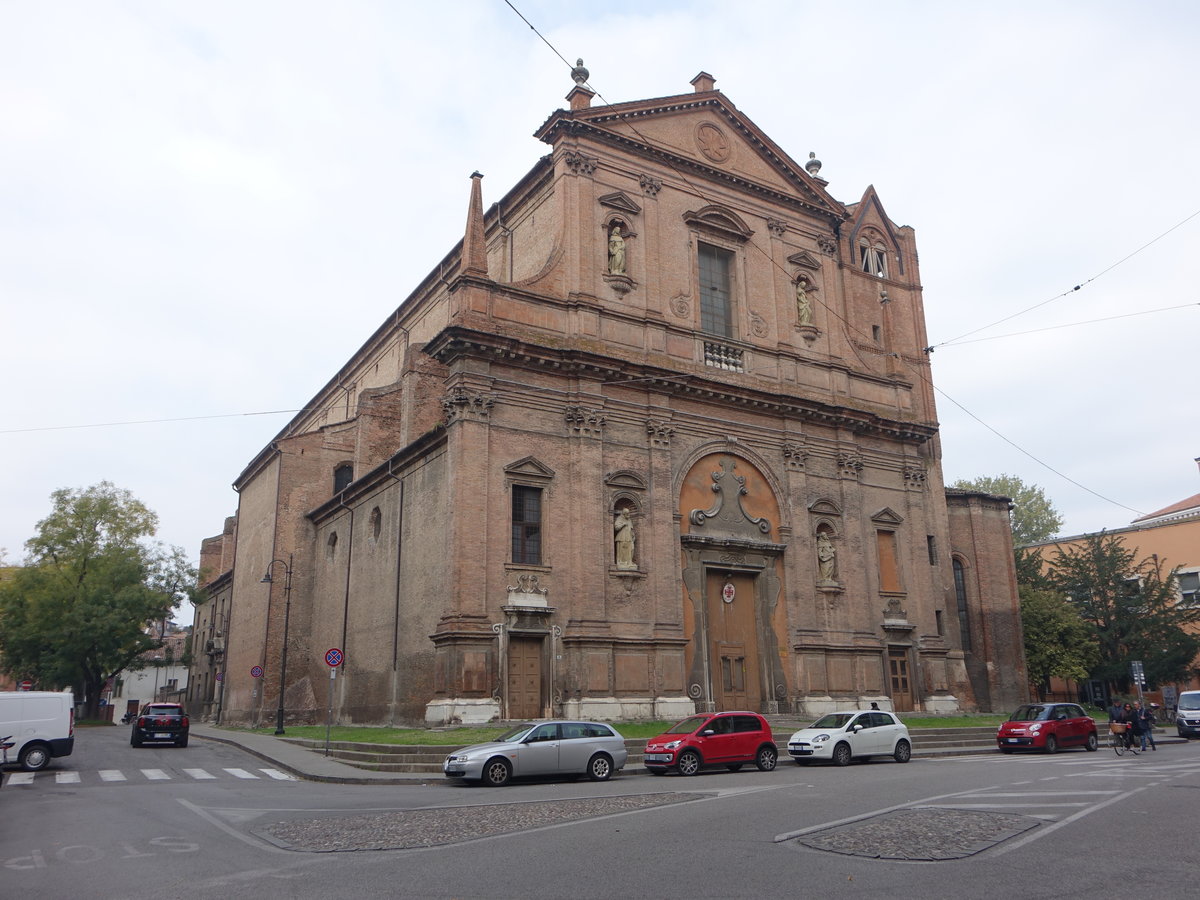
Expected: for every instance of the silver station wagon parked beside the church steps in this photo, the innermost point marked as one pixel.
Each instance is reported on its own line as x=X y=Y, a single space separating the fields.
x=563 y=747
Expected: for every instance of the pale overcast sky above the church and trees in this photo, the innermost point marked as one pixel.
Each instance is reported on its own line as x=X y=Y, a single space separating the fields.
x=206 y=209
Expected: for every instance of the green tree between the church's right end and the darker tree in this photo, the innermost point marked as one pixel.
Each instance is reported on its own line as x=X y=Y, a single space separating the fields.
x=1059 y=644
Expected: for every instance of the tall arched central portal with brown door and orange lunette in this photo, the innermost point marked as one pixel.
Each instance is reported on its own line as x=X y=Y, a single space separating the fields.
x=733 y=579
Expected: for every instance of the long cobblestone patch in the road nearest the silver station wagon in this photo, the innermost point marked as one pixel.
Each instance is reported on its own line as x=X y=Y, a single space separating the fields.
x=431 y=827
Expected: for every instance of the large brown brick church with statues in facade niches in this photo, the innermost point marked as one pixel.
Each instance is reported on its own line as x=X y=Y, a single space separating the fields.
x=658 y=436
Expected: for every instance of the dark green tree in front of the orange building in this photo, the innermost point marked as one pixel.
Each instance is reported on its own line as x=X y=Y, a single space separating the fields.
x=1132 y=607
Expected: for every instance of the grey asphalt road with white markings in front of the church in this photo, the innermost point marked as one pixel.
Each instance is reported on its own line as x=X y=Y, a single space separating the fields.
x=212 y=821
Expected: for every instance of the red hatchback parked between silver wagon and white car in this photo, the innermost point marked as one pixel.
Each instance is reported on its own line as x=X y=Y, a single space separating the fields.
x=729 y=740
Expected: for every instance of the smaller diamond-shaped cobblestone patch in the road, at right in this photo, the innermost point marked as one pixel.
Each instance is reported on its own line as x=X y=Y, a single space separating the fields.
x=922 y=835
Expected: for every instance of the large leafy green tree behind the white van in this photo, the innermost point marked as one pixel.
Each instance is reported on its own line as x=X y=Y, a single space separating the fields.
x=81 y=610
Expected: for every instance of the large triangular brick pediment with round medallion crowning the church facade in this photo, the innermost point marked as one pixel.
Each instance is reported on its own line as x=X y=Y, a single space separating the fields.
x=703 y=133
